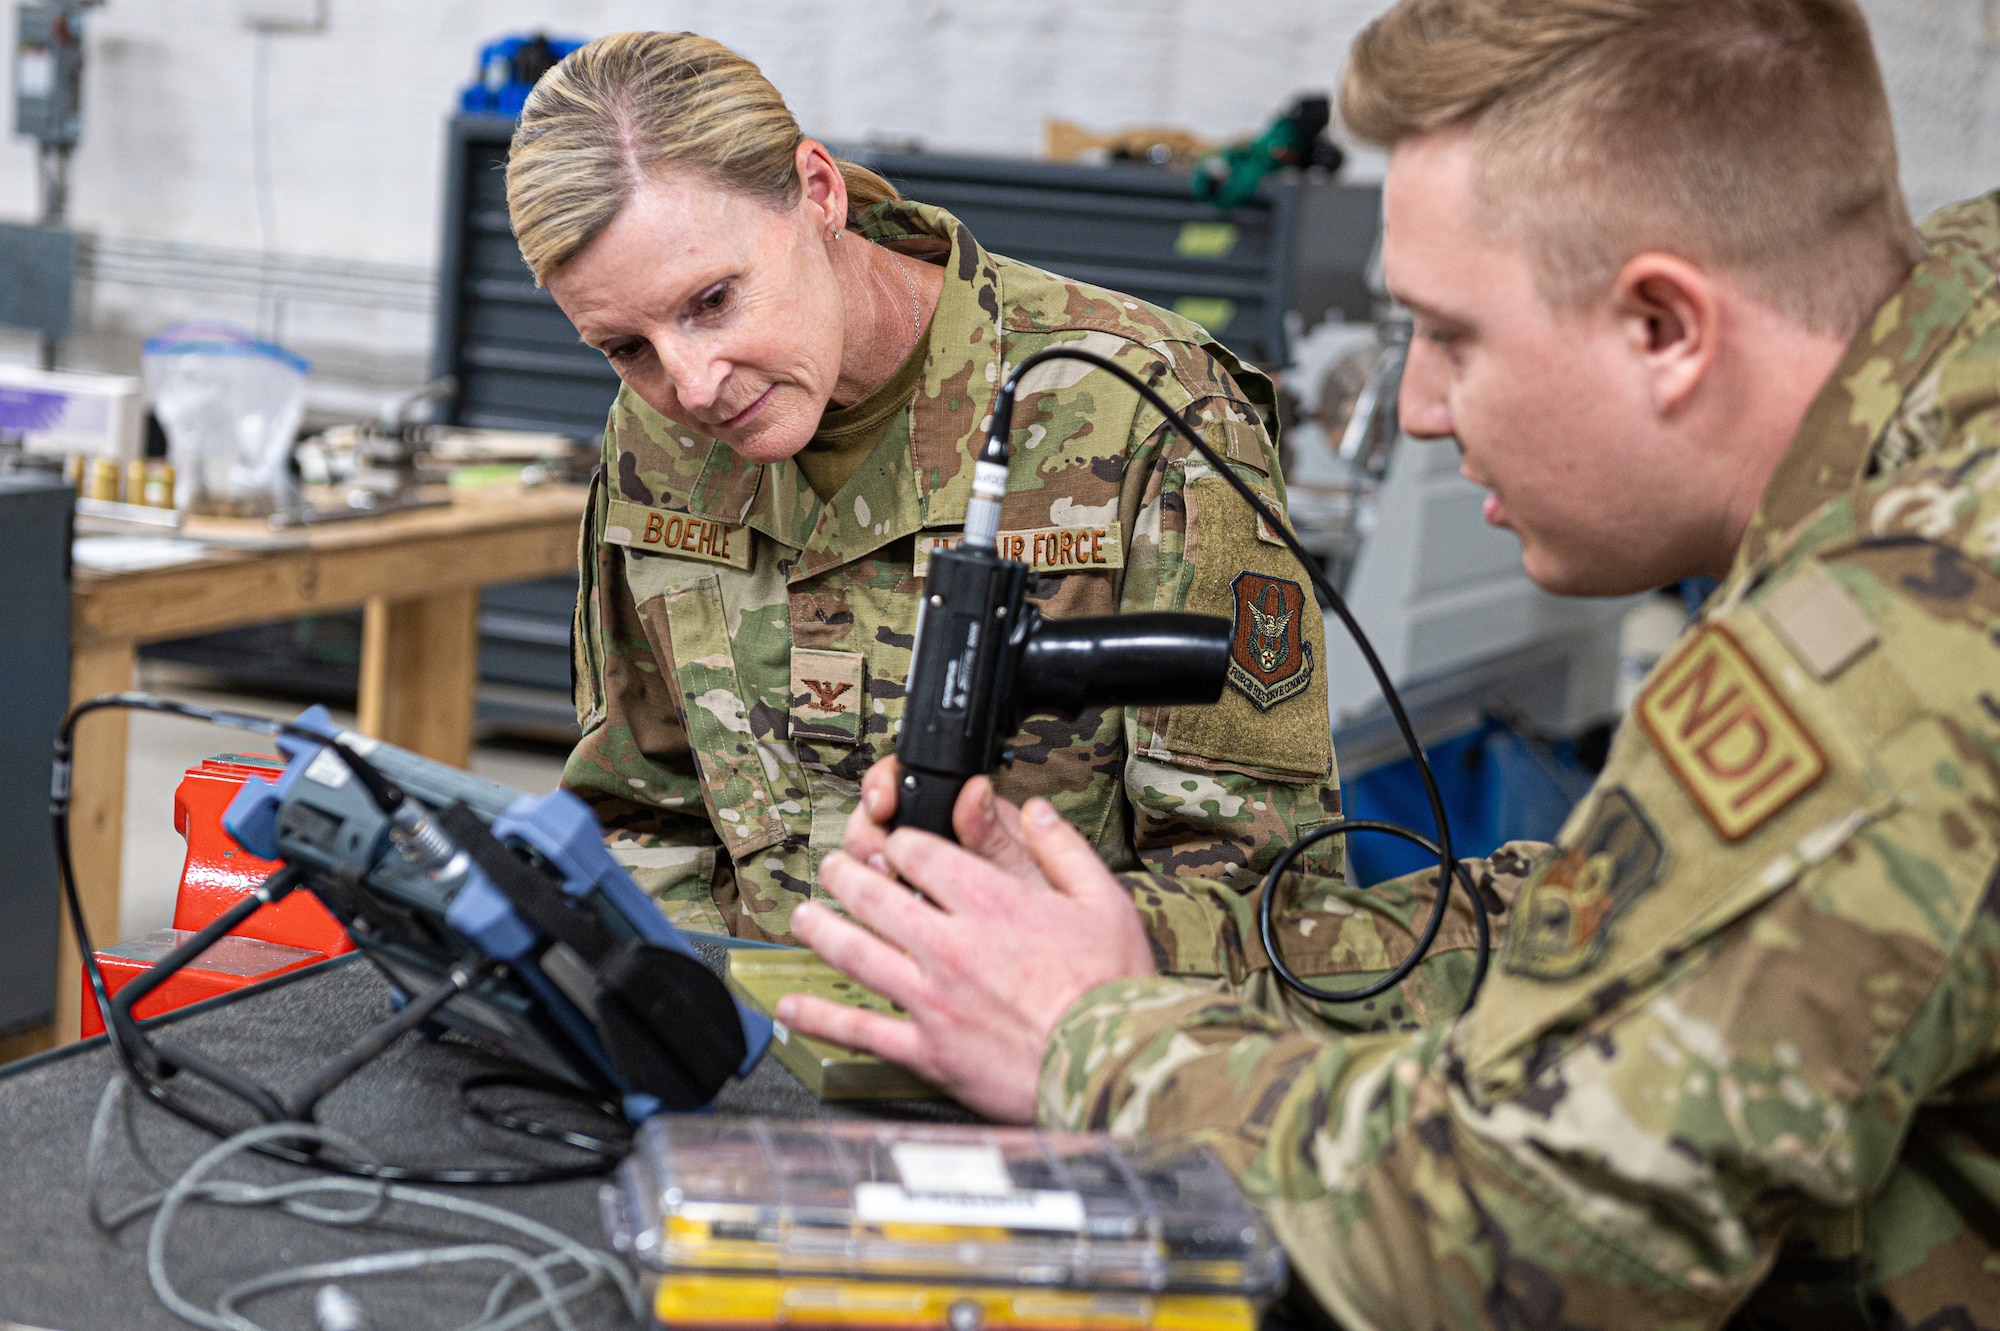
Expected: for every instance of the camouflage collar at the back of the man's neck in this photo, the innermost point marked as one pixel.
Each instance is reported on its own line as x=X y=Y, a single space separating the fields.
x=1849 y=425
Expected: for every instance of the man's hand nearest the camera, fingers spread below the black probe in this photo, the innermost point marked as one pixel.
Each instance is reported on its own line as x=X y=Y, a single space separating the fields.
x=987 y=960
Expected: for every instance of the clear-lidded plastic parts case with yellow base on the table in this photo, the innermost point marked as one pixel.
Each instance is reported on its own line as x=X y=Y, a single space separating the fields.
x=897 y=1226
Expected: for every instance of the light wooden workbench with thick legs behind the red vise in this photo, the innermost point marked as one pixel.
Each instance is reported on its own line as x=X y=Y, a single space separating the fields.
x=417 y=579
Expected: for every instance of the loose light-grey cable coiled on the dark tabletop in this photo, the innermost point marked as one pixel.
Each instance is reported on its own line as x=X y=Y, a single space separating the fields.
x=299 y=1200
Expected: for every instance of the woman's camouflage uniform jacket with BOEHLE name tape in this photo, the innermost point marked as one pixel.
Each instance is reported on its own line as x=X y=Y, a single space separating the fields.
x=743 y=647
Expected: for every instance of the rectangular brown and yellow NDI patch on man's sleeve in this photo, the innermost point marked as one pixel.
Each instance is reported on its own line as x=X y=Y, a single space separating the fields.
x=1727 y=734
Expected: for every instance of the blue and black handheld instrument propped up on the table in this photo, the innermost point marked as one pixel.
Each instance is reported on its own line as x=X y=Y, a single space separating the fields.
x=507 y=912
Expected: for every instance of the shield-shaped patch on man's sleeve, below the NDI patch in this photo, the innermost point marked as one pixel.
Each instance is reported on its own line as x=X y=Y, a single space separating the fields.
x=1565 y=916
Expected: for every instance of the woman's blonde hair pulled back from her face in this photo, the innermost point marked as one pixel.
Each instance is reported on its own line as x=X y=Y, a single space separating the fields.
x=639 y=103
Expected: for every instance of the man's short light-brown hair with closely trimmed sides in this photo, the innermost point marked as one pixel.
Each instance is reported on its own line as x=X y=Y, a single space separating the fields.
x=1749 y=135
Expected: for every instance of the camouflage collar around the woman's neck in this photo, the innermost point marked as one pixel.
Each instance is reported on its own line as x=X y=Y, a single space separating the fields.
x=903 y=493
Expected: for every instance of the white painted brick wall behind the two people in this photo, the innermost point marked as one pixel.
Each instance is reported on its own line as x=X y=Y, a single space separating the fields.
x=359 y=109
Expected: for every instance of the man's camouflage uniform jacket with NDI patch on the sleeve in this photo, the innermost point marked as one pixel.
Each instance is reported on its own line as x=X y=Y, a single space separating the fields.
x=1741 y=1050
